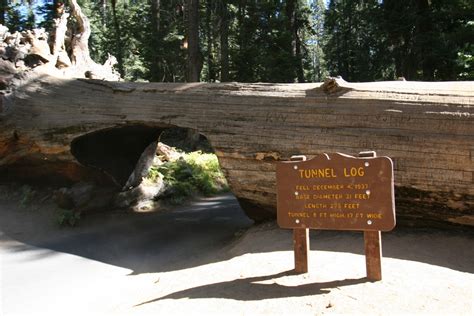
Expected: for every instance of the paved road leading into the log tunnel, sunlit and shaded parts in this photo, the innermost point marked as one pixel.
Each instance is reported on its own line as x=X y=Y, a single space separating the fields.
x=50 y=271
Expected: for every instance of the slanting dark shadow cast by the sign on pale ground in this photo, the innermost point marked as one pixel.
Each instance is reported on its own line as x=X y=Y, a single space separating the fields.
x=249 y=289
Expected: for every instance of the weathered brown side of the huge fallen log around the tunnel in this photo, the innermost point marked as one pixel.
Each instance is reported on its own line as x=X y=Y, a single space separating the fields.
x=427 y=128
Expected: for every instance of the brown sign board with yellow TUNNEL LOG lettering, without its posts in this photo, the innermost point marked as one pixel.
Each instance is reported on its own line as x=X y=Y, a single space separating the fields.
x=336 y=191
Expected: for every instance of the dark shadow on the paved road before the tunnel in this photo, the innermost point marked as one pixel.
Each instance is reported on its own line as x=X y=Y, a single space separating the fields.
x=178 y=238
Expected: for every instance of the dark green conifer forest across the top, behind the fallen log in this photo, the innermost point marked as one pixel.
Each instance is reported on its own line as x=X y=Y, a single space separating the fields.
x=270 y=40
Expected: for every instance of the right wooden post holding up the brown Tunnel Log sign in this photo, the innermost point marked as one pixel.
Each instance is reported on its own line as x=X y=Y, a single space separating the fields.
x=373 y=255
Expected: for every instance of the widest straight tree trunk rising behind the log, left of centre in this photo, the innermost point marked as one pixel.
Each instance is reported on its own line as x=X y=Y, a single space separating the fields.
x=194 y=61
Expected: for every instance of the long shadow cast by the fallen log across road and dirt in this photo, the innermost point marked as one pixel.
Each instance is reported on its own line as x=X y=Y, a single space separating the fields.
x=207 y=231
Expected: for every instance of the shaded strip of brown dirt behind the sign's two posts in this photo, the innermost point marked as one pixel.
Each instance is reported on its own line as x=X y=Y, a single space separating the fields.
x=449 y=248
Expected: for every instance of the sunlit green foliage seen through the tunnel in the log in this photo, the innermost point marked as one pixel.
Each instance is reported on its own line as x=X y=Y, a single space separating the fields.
x=194 y=173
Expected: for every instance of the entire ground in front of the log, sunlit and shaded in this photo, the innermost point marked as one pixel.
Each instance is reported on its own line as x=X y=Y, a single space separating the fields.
x=425 y=271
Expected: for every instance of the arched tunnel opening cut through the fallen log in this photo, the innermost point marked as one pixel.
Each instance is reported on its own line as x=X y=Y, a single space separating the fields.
x=150 y=163
